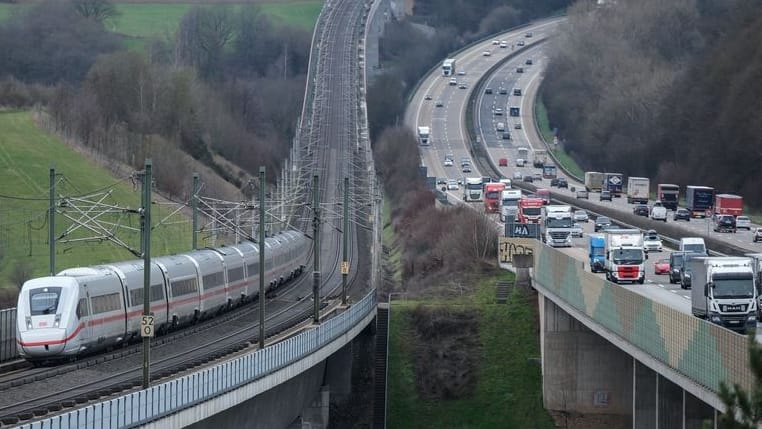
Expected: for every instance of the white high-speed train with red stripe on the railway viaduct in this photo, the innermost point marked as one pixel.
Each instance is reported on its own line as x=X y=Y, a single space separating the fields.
x=81 y=310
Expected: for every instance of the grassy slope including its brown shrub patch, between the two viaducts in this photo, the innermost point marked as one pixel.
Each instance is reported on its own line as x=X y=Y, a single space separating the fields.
x=466 y=361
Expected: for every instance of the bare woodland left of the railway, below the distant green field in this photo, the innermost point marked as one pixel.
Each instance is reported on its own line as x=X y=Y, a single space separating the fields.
x=225 y=90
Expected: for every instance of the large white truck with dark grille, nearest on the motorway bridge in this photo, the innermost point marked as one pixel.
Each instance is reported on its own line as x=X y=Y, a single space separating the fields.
x=723 y=291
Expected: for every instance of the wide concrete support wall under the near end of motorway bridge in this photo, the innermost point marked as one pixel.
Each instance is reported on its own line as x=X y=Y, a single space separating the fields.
x=582 y=372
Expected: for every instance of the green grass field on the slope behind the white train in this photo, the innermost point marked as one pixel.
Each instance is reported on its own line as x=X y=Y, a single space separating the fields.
x=26 y=154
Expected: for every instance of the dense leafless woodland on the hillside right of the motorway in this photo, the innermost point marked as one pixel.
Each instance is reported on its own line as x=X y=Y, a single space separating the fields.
x=668 y=89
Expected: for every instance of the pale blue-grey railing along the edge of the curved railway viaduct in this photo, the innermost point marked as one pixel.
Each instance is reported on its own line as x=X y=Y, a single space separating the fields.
x=151 y=404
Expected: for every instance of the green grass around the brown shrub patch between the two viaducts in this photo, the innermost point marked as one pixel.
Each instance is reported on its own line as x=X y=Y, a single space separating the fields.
x=509 y=387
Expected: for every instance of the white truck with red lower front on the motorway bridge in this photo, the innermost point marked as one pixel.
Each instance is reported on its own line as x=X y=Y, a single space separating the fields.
x=625 y=257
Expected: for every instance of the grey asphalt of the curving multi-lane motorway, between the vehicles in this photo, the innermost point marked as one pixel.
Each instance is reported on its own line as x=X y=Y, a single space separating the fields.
x=449 y=136
